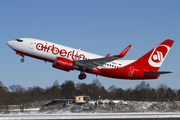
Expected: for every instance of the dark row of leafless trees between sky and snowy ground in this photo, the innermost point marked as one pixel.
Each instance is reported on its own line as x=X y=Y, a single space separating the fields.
x=18 y=95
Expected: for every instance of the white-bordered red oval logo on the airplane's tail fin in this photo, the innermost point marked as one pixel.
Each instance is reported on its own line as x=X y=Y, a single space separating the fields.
x=158 y=55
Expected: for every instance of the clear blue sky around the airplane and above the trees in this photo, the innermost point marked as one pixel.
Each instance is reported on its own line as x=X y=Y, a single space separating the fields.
x=99 y=26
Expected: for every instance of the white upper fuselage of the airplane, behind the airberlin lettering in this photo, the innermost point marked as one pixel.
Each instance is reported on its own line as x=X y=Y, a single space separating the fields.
x=43 y=49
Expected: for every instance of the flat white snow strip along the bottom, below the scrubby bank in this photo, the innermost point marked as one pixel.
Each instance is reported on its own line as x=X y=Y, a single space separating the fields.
x=91 y=116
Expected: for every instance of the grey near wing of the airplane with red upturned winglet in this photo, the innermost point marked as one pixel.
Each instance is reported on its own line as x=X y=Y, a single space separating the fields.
x=94 y=63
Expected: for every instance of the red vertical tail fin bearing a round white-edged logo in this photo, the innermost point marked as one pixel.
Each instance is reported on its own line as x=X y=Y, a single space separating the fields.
x=152 y=60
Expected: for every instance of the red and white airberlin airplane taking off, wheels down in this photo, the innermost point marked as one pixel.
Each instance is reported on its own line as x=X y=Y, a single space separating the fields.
x=67 y=59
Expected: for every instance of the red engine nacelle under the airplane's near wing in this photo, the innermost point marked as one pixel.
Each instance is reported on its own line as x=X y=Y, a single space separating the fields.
x=63 y=64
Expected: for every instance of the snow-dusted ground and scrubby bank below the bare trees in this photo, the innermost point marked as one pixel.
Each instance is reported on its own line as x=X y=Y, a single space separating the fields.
x=132 y=109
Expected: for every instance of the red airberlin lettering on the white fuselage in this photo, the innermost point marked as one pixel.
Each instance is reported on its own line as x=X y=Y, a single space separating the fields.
x=61 y=52
